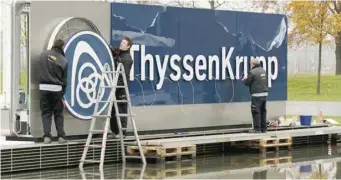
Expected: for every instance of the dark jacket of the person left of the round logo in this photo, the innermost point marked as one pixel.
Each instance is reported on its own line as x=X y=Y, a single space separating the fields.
x=53 y=68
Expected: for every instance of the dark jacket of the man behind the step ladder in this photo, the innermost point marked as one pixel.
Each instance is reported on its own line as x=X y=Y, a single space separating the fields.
x=124 y=58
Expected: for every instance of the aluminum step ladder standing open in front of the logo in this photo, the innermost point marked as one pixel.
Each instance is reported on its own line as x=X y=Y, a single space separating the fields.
x=112 y=101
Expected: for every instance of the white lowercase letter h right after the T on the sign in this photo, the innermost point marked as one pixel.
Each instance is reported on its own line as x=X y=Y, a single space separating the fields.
x=144 y=59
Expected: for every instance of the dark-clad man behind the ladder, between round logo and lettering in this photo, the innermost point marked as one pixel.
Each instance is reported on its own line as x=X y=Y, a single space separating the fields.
x=121 y=55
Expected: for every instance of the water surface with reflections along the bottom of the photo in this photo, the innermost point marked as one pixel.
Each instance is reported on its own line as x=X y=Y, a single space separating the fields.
x=303 y=163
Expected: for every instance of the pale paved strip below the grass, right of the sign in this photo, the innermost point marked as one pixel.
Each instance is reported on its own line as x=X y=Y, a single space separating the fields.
x=313 y=107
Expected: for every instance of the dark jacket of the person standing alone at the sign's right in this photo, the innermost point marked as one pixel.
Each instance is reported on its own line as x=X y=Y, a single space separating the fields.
x=257 y=81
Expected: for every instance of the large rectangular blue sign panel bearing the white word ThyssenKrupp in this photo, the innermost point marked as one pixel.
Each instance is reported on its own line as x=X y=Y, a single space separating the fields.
x=195 y=56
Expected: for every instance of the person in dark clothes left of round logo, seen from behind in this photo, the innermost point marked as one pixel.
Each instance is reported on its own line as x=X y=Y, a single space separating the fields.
x=53 y=73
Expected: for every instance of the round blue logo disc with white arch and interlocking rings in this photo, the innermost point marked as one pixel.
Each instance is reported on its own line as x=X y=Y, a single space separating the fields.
x=87 y=53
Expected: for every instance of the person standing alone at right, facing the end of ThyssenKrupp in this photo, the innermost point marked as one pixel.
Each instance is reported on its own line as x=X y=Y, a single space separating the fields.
x=258 y=84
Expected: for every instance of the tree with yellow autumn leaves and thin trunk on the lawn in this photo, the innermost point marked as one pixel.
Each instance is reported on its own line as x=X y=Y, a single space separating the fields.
x=312 y=24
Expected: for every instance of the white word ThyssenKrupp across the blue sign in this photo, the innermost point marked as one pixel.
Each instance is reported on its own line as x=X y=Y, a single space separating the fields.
x=202 y=67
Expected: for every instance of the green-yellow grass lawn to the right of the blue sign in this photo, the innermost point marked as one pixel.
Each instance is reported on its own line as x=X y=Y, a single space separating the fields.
x=302 y=87
